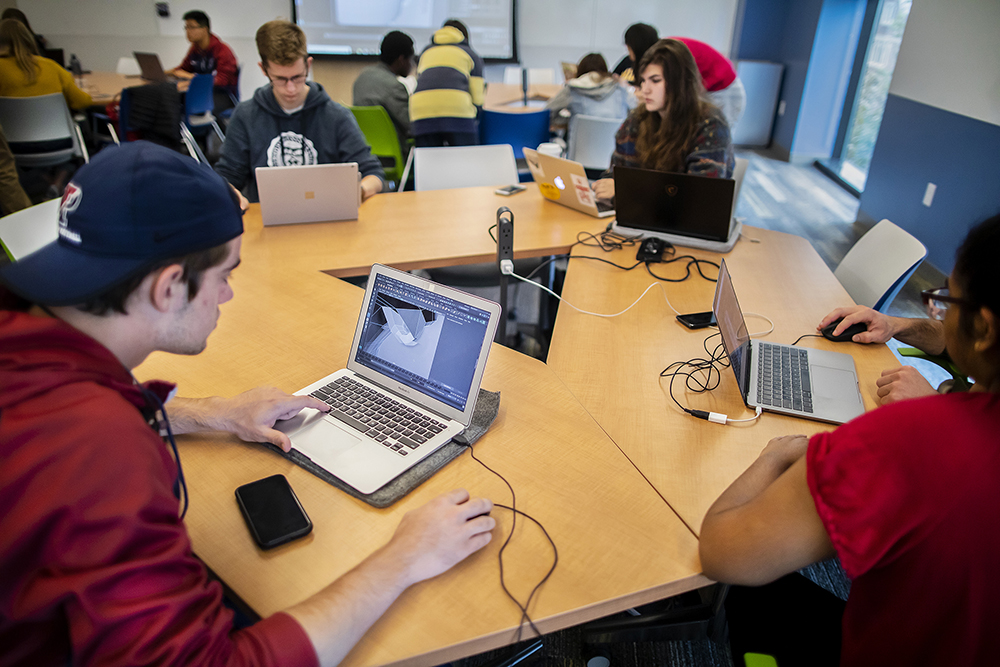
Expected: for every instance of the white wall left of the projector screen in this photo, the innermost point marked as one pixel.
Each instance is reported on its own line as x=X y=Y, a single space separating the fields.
x=101 y=31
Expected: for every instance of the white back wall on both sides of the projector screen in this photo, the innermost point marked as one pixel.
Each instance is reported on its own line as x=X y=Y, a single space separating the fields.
x=549 y=31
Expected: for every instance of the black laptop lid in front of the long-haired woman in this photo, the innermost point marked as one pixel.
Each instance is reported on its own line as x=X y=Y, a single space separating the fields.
x=655 y=203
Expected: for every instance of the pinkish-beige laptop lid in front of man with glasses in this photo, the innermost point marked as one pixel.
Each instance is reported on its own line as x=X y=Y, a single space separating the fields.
x=309 y=193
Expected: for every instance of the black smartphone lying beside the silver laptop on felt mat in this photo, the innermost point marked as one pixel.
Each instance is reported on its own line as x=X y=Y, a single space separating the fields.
x=272 y=511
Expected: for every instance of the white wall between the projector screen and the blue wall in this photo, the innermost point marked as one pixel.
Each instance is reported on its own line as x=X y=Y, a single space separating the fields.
x=550 y=31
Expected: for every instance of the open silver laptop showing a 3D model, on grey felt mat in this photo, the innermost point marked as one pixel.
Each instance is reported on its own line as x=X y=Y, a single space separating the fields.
x=411 y=382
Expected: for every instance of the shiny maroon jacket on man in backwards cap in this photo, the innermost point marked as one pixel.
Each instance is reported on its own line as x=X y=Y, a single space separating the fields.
x=96 y=563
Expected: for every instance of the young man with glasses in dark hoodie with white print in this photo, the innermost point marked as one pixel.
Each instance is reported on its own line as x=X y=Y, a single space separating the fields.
x=291 y=121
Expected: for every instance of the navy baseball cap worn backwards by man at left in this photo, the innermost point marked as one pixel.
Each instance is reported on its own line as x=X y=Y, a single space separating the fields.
x=132 y=206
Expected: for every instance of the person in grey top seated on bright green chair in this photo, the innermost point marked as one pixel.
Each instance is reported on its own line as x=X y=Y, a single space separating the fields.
x=379 y=85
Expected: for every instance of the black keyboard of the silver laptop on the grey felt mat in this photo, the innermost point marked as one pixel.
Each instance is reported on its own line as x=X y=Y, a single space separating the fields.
x=395 y=425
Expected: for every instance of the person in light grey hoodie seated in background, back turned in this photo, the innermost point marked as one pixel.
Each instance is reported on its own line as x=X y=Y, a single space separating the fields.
x=592 y=92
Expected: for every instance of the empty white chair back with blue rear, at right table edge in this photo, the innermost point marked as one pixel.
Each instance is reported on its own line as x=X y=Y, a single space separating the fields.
x=879 y=264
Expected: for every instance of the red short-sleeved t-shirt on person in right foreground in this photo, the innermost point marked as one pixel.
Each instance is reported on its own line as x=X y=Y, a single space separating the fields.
x=910 y=496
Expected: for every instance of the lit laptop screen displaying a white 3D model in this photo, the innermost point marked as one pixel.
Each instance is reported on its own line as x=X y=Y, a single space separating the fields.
x=423 y=340
